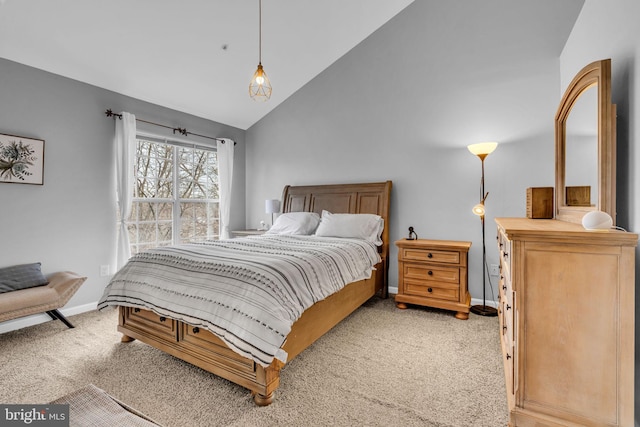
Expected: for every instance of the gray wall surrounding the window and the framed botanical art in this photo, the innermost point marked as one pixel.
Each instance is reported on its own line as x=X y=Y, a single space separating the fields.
x=69 y=222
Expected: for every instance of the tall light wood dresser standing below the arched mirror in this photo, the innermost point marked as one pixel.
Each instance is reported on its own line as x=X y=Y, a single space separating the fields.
x=567 y=321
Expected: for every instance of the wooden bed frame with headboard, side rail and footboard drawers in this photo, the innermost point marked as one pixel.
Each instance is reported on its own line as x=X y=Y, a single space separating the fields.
x=205 y=350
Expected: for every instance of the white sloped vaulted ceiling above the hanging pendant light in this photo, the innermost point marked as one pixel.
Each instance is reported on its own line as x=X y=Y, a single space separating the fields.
x=196 y=56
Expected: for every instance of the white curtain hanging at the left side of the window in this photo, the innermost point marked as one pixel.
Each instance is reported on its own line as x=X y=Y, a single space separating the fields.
x=125 y=145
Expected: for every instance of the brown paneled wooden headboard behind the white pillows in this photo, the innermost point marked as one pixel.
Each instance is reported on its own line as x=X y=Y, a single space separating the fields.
x=373 y=198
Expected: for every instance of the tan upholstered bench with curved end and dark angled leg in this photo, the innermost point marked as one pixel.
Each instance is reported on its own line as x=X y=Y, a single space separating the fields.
x=41 y=299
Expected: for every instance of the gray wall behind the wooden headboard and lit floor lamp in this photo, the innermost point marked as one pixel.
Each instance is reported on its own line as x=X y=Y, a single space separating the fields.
x=403 y=105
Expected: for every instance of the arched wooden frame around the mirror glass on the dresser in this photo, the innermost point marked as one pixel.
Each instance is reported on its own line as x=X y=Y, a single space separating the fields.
x=598 y=73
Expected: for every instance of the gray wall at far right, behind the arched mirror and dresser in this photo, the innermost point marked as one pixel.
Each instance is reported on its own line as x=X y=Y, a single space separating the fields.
x=610 y=30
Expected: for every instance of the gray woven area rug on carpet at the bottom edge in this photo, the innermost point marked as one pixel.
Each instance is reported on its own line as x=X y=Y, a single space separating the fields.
x=93 y=407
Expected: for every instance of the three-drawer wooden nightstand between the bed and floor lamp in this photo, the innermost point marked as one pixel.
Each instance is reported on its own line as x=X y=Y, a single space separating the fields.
x=434 y=273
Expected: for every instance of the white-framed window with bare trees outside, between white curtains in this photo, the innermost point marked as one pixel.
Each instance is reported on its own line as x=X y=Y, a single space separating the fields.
x=176 y=197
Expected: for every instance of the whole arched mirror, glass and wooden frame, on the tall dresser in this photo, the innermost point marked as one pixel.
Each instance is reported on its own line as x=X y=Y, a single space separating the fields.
x=585 y=145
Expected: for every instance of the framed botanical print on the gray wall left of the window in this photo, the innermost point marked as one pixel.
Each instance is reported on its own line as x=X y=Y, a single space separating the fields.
x=21 y=160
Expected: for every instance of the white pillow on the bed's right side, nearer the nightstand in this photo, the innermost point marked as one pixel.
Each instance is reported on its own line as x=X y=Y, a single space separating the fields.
x=362 y=226
